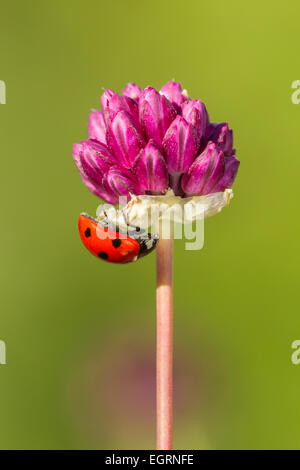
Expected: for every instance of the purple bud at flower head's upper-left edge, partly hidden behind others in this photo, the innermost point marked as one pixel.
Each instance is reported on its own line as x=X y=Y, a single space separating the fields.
x=112 y=103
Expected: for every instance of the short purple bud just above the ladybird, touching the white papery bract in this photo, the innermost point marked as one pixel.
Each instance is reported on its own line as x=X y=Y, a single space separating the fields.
x=121 y=182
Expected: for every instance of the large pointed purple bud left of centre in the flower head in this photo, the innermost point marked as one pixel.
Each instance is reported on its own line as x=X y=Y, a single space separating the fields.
x=124 y=139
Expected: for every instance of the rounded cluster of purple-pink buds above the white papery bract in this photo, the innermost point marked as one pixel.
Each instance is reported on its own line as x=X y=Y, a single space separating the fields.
x=145 y=142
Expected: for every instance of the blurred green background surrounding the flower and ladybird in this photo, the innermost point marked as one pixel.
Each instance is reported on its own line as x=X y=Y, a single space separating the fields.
x=80 y=333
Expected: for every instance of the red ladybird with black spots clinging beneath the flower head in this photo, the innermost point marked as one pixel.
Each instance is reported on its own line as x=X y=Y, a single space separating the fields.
x=113 y=244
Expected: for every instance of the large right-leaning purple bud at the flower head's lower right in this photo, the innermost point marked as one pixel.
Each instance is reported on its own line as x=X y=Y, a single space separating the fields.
x=205 y=172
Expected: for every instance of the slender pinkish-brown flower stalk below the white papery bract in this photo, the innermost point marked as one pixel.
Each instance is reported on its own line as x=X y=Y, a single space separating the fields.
x=164 y=344
